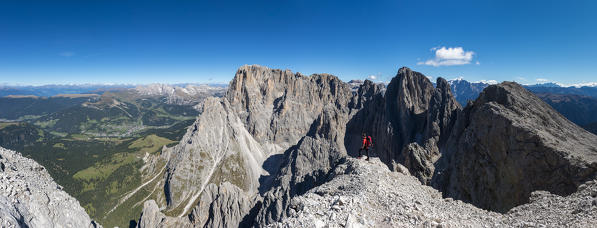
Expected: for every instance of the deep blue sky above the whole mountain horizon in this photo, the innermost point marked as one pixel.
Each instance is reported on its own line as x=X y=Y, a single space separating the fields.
x=47 y=42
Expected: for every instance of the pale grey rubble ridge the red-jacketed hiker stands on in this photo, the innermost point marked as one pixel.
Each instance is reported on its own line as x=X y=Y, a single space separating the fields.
x=366 y=194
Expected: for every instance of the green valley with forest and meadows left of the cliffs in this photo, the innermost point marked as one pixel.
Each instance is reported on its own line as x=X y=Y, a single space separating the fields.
x=103 y=150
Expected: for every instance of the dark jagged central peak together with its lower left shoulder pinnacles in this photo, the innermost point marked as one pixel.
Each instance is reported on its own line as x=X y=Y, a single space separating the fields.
x=409 y=123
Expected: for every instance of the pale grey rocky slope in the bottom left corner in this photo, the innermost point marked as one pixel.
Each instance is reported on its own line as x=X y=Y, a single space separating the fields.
x=29 y=197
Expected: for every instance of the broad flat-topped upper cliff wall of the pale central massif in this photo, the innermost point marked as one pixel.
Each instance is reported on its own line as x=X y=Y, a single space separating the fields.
x=278 y=107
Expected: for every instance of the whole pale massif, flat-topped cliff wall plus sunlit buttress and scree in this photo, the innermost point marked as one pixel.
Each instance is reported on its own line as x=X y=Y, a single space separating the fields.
x=264 y=113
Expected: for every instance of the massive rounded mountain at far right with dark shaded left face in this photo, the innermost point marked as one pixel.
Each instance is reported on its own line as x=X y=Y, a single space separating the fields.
x=509 y=143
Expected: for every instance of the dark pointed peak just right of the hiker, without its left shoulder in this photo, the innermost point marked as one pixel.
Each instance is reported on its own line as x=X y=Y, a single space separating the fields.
x=417 y=114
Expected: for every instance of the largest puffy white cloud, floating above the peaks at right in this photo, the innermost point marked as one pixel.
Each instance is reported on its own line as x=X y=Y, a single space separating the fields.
x=450 y=56
